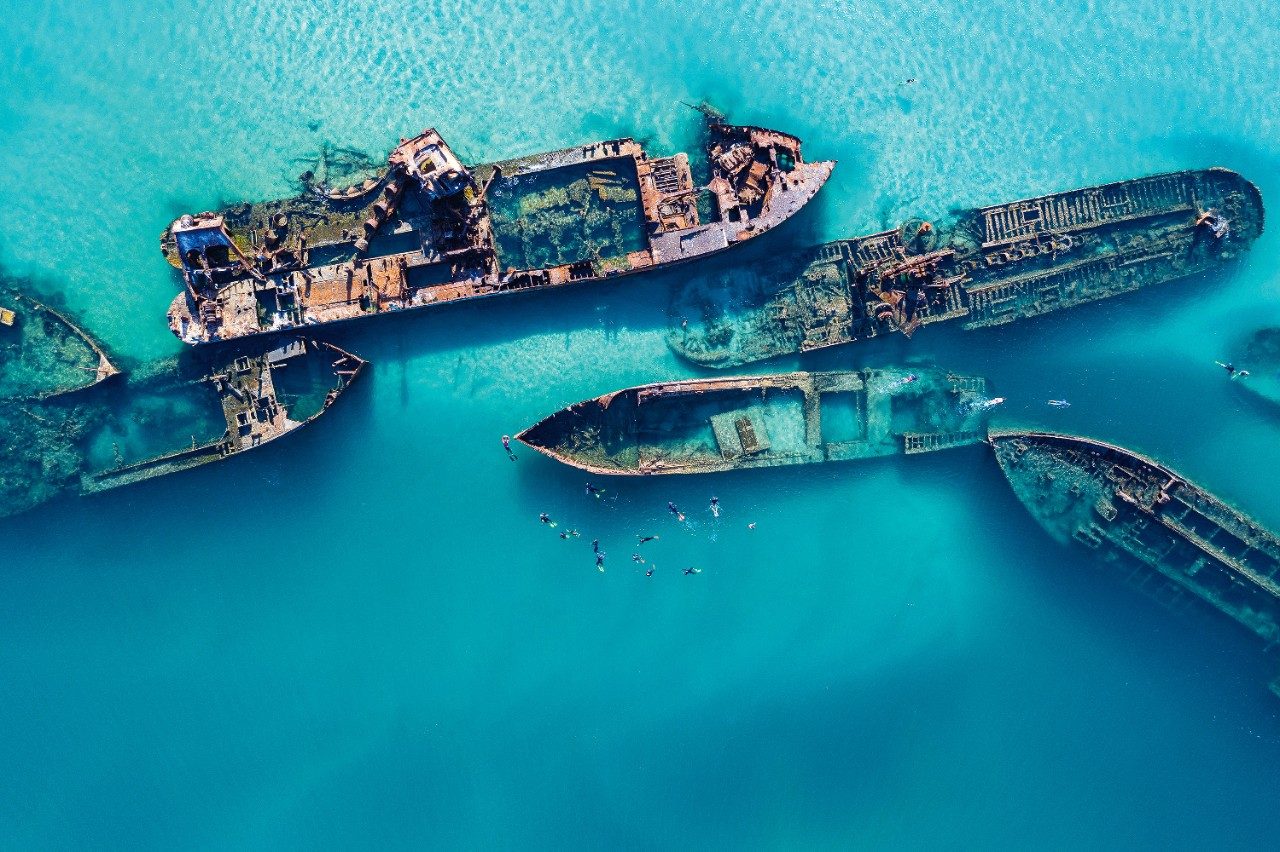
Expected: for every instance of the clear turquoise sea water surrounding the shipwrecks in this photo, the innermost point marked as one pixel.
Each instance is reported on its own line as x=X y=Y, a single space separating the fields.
x=362 y=636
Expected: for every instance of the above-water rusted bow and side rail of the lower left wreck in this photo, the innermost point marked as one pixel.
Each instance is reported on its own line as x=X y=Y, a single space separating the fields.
x=258 y=398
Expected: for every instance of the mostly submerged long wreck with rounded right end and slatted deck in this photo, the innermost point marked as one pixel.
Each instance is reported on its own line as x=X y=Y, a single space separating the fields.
x=991 y=267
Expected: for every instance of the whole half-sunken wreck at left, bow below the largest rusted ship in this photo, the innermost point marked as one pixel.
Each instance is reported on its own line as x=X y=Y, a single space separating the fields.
x=163 y=420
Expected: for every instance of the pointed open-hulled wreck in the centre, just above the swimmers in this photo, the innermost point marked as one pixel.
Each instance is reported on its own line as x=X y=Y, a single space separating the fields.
x=706 y=425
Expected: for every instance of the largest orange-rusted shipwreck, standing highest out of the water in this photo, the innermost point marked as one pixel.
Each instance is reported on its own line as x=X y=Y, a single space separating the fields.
x=432 y=231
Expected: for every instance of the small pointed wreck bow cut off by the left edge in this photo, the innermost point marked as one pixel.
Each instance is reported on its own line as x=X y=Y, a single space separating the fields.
x=43 y=352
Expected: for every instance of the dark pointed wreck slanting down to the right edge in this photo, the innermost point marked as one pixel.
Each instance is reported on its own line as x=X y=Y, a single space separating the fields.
x=1162 y=533
